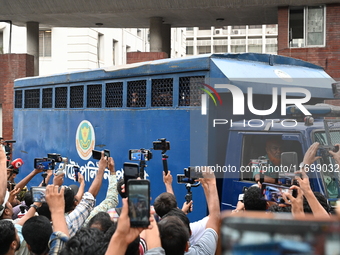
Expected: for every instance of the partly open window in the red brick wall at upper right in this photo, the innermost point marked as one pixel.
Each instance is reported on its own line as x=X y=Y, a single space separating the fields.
x=307 y=26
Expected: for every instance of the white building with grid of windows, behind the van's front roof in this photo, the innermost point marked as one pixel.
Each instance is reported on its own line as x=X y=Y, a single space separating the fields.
x=232 y=39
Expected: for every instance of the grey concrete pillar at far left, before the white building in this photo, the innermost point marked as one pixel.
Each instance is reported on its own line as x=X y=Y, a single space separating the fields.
x=33 y=43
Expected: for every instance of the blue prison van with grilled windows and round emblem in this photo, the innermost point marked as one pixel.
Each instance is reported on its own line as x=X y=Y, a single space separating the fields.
x=215 y=110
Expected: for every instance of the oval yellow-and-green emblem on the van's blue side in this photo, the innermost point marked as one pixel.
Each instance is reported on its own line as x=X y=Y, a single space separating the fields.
x=85 y=139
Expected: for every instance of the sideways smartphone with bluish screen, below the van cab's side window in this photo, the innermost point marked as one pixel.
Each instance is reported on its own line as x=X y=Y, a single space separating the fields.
x=273 y=192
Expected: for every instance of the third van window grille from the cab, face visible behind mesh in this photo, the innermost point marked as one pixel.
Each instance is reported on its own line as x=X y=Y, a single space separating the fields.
x=136 y=96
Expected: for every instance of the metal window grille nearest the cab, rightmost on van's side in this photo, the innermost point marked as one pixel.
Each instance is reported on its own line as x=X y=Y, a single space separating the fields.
x=189 y=90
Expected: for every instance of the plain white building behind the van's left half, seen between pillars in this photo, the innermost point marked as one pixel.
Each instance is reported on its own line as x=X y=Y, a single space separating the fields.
x=71 y=49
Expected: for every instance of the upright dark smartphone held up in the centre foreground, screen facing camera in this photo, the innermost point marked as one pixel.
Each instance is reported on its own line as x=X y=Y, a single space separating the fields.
x=139 y=202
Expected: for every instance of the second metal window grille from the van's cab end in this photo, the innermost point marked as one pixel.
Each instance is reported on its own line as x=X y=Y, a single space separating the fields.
x=162 y=90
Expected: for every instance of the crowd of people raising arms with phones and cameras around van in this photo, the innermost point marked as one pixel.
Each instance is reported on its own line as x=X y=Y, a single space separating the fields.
x=70 y=223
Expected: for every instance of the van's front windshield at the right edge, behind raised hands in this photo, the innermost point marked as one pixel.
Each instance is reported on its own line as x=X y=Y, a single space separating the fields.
x=329 y=169
